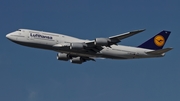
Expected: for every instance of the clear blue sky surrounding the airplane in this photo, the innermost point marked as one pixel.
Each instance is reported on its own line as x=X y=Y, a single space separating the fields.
x=29 y=74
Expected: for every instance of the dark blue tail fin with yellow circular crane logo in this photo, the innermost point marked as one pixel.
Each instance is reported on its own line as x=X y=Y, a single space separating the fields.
x=156 y=42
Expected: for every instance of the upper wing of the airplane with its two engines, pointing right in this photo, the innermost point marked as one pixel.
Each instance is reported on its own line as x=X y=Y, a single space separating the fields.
x=96 y=45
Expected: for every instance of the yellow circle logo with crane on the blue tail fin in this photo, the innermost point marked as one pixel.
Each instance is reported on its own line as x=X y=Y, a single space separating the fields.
x=159 y=40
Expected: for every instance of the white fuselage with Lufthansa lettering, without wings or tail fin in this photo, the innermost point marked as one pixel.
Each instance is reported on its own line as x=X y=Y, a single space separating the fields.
x=47 y=40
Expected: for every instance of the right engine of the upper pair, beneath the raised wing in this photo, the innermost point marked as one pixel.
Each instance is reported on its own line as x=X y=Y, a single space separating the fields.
x=102 y=41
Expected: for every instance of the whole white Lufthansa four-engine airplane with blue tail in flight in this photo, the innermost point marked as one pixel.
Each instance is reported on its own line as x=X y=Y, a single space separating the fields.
x=79 y=51
